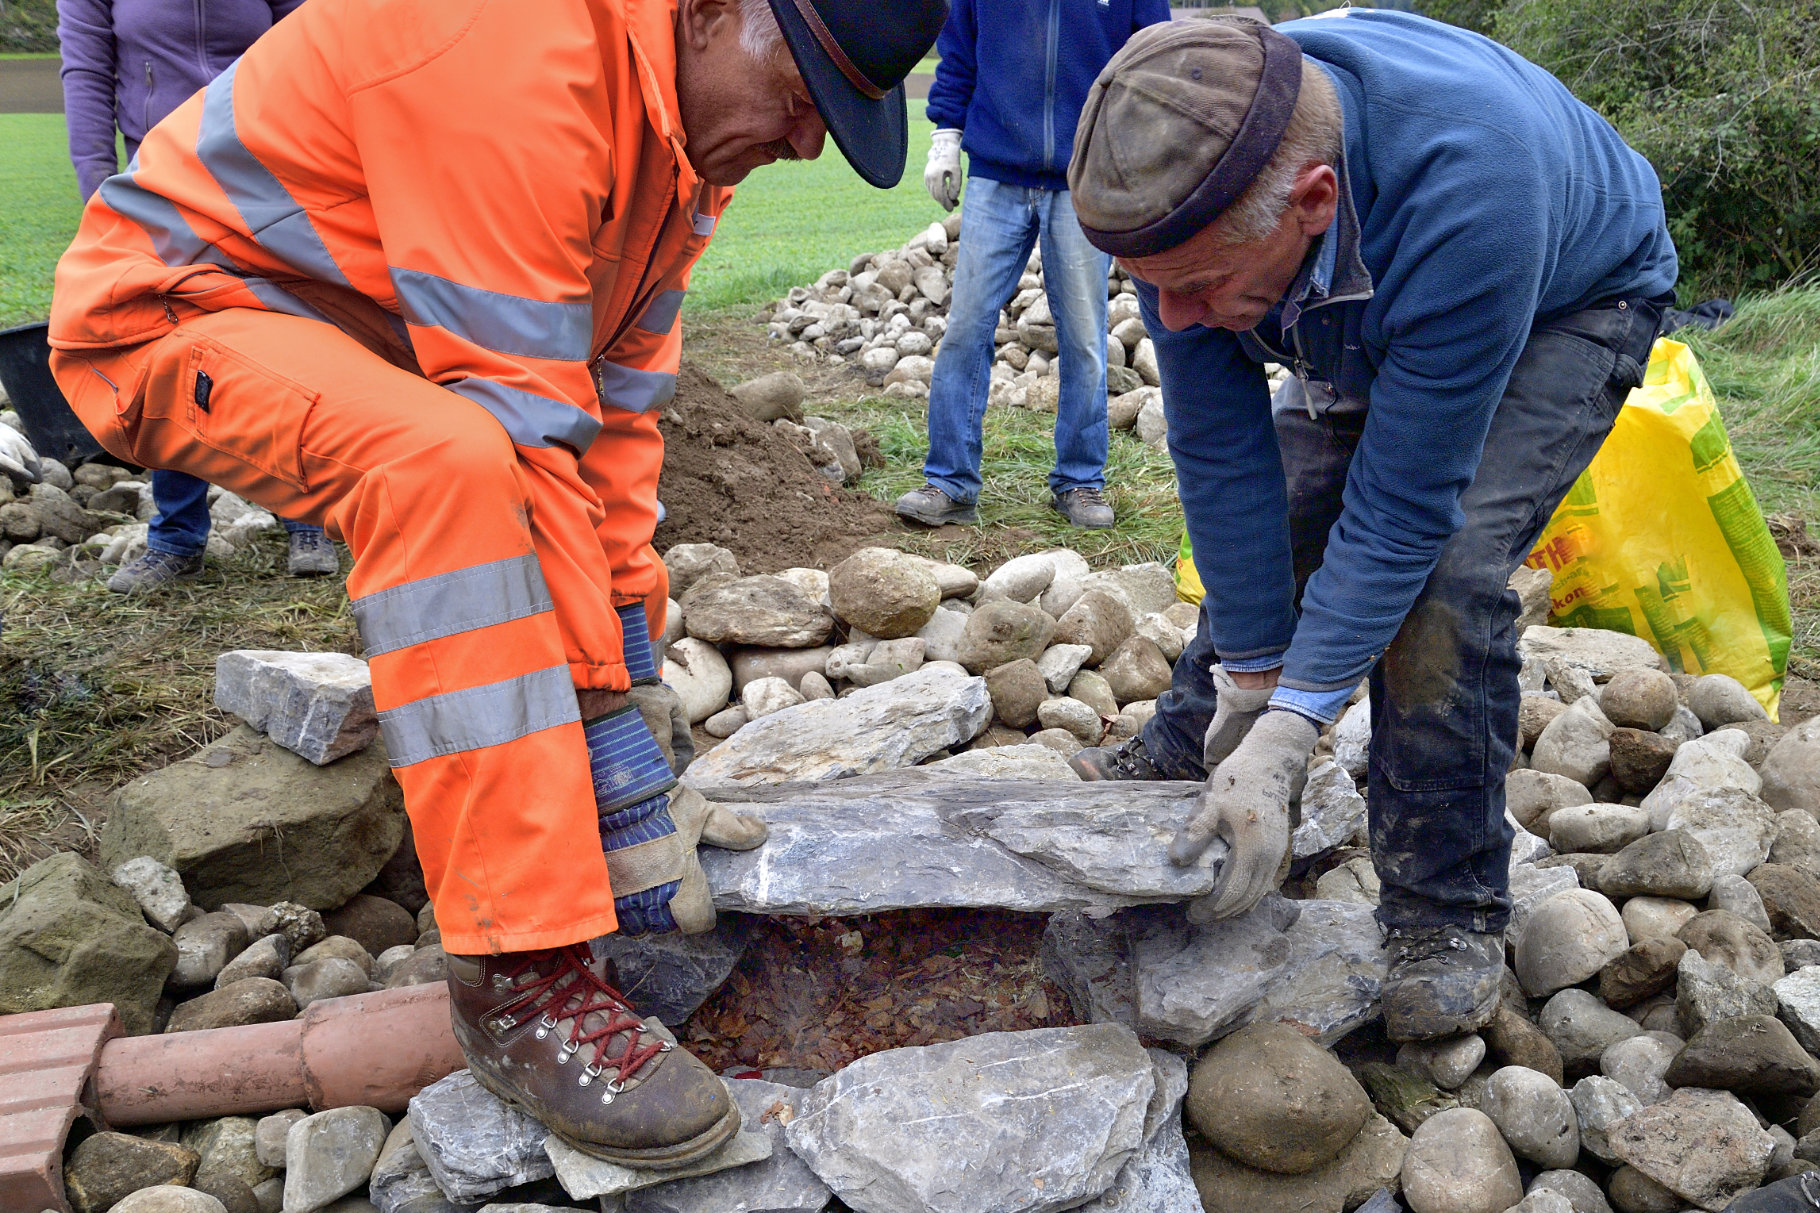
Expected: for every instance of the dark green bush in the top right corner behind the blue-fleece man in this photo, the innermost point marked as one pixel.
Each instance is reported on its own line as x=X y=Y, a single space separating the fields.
x=1724 y=99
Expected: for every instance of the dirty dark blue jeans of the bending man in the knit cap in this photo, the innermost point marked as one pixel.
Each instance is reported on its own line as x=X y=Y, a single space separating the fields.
x=1444 y=697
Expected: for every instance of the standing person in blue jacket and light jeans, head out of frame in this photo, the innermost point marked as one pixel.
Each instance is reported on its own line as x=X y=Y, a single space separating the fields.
x=1009 y=90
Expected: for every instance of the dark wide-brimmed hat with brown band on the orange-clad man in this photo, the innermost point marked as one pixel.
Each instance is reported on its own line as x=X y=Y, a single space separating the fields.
x=854 y=57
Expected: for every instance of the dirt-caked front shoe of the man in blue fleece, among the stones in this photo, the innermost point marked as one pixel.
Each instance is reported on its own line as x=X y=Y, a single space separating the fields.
x=1442 y=983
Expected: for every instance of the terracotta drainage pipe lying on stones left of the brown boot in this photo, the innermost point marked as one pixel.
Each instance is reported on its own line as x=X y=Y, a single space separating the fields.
x=376 y=1050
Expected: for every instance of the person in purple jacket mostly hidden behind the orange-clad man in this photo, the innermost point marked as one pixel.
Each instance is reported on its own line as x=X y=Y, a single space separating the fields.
x=126 y=65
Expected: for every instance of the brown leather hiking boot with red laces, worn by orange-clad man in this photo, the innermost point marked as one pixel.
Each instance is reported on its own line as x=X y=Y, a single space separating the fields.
x=549 y=1035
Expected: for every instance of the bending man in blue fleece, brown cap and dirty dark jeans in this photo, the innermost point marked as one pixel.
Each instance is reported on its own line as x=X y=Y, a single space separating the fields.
x=1466 y=270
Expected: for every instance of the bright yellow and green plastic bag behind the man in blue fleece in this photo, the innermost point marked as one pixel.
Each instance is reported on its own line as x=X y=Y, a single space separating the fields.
x=1663 y=538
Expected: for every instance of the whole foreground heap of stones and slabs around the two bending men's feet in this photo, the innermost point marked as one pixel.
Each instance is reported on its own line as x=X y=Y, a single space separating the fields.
x=904 y=726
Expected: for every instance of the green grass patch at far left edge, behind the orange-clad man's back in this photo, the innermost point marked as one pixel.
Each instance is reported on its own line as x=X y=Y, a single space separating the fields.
x=39 y=212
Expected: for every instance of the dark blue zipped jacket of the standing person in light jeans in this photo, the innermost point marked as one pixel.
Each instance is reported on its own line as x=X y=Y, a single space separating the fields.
x=1015 y=76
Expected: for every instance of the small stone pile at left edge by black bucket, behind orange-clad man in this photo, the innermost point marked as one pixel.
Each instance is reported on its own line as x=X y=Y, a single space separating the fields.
x=97 y=515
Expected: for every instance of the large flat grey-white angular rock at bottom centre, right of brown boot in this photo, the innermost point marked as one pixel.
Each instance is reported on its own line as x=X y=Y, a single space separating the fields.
x=971 y=1126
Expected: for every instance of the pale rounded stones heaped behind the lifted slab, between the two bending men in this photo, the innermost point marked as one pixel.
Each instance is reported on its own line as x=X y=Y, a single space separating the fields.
x=1069 y=658
